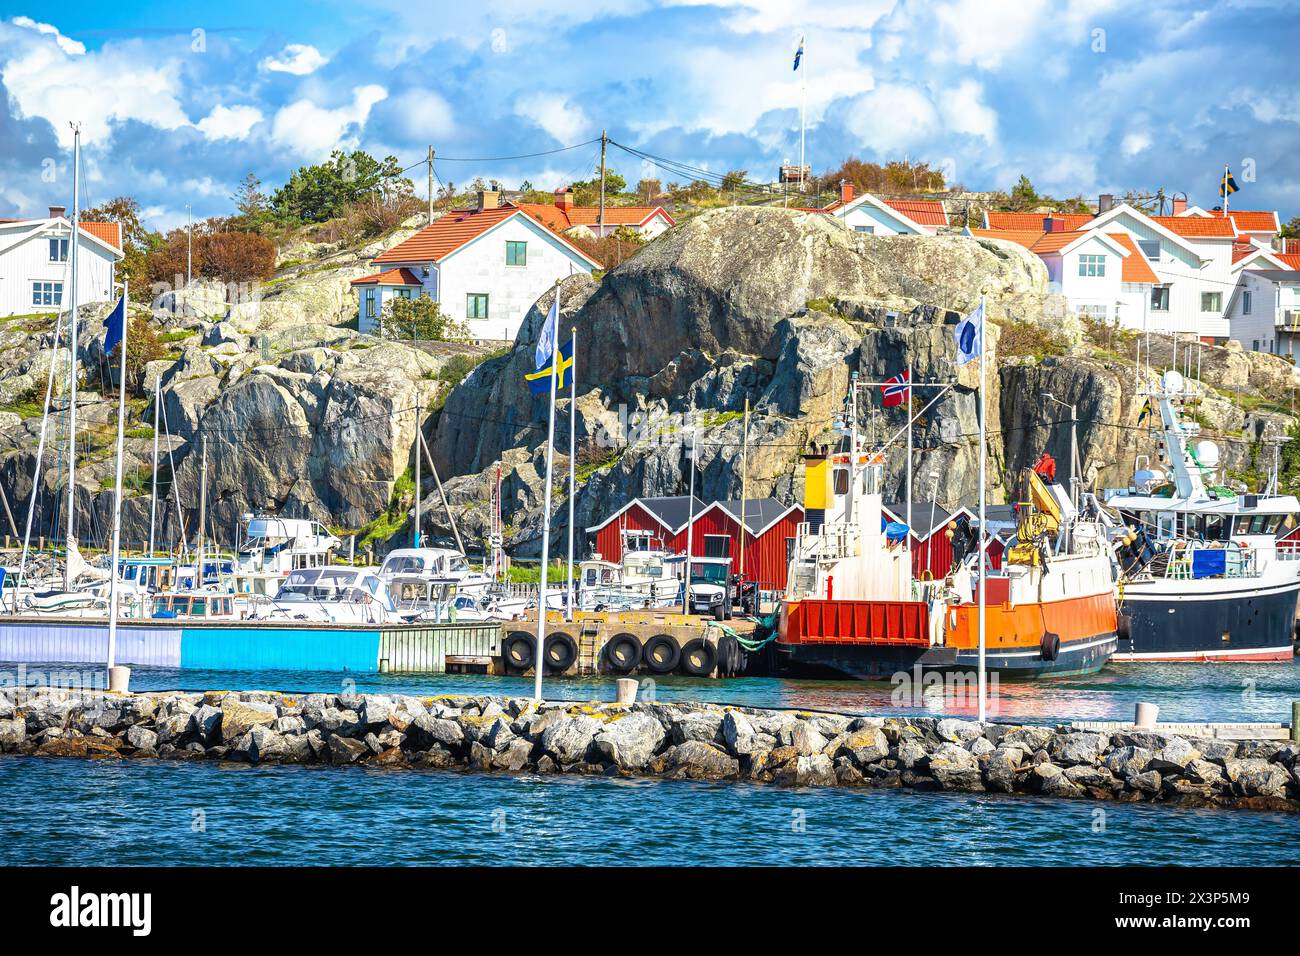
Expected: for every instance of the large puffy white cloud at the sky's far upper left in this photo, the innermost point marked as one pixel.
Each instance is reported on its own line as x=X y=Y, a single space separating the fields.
x=53 y=79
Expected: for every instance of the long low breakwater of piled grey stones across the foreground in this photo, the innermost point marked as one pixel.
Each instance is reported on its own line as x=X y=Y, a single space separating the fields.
x=695 y=742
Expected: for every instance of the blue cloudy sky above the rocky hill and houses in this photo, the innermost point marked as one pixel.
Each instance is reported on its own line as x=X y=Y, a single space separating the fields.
x=179 y=101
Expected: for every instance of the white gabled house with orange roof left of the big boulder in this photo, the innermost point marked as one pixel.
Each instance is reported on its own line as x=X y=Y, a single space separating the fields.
x=486 y=267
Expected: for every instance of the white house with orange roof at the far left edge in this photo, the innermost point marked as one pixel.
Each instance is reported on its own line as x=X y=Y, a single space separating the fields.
x=36 y=262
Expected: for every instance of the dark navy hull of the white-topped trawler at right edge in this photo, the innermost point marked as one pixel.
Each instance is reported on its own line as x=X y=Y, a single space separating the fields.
x=1247 y=624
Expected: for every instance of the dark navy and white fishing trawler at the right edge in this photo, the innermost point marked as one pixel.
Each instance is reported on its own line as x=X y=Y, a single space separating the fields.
x=1204 y=573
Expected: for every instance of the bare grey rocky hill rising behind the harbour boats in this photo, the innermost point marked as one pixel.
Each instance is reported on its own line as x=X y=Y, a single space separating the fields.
x=304 y=416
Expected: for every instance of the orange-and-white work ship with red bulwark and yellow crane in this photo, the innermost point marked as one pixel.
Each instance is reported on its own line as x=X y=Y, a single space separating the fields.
x=853 y=608
